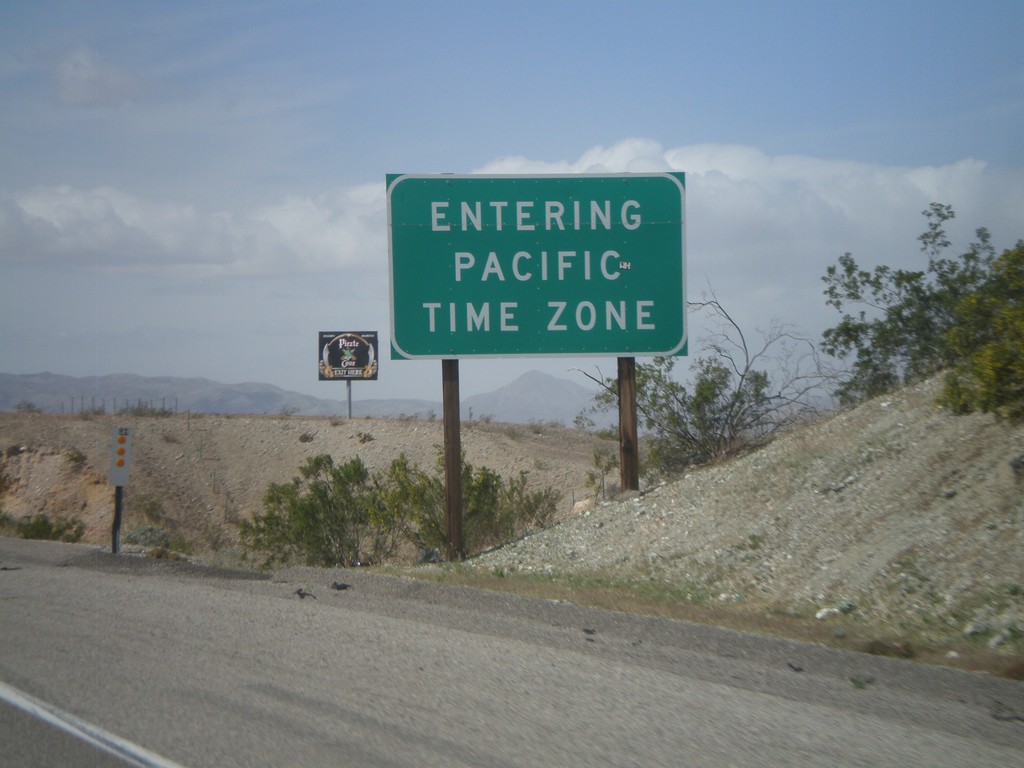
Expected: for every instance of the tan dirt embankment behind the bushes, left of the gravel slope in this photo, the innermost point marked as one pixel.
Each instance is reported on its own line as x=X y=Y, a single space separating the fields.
x=197 y=477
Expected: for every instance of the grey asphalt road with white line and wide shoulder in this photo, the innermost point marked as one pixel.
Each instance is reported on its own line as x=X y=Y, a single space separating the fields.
x=163 y=664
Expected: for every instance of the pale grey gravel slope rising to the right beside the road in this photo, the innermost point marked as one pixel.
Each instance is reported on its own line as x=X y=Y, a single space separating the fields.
x=897 y=510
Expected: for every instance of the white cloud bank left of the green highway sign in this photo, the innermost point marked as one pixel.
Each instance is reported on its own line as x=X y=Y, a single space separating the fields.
x=109 y=230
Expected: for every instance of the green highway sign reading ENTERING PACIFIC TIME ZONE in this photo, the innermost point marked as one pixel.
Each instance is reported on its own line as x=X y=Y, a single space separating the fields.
x=492 y=267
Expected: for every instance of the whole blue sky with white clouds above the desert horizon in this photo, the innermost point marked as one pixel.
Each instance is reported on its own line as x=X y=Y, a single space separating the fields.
x=196 y=189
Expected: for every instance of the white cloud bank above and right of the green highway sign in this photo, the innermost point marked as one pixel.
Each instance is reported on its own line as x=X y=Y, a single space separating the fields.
x=762 y=230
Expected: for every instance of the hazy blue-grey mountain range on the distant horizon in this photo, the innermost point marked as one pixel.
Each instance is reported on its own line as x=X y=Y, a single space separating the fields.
x=535 y=397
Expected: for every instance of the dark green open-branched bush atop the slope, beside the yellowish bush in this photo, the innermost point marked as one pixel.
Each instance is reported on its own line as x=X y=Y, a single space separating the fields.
x=898 y=323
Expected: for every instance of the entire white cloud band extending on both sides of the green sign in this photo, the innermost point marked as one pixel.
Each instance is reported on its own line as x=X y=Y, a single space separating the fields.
x=759 y=226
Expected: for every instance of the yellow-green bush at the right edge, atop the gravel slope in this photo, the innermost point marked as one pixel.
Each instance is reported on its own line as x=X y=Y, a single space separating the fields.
x=988 y=342
